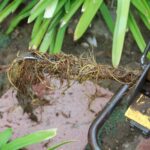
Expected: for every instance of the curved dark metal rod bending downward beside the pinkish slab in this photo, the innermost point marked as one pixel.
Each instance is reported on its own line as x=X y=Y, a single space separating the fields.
x=102 y=117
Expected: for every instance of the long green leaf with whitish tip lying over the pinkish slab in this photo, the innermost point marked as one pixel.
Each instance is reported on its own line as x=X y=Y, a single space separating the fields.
x=30 y=139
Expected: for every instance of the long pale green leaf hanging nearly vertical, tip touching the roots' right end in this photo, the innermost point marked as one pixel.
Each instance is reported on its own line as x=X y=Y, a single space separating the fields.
x=120 y=30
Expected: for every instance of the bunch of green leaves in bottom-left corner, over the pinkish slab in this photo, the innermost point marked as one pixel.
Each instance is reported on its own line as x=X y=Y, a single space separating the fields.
x=27 y=140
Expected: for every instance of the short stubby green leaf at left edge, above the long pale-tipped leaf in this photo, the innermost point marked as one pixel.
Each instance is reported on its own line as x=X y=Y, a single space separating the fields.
x=5 y=136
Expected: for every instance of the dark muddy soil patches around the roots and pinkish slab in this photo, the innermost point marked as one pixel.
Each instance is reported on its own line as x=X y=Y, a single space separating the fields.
x=116 y=133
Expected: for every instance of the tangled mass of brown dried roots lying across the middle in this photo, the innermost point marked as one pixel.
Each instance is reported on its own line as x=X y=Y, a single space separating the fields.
x=23 y=73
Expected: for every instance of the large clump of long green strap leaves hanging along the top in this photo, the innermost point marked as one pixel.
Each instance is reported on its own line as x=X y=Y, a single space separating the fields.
x=51 y=18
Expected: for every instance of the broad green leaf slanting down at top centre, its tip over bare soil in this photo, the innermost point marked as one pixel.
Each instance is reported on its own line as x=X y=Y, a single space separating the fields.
x=86 y=18
